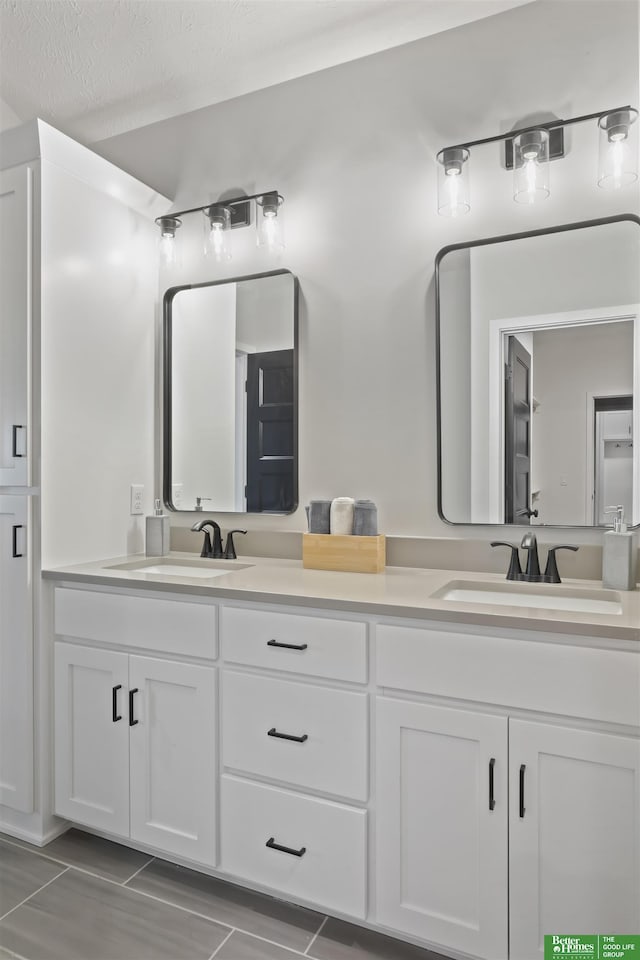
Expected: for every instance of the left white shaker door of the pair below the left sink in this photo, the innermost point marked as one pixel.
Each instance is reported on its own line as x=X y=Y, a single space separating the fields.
x=91 y=737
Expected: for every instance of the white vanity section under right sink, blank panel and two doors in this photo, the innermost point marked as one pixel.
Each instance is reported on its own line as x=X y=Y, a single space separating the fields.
x=563 y=854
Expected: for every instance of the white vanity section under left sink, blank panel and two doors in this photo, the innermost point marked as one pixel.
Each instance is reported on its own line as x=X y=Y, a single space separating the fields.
x=136 y=736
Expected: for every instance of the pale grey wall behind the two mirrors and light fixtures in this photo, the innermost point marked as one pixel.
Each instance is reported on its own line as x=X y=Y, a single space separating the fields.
x=352 y=151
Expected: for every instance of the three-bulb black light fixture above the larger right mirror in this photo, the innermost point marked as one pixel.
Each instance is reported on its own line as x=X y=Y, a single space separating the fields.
x=528 y=151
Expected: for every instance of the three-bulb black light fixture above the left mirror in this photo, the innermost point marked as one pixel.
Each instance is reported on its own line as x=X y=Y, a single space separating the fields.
x=223 y=216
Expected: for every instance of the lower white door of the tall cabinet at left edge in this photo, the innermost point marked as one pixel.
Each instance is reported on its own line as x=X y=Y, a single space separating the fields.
x=16 y=658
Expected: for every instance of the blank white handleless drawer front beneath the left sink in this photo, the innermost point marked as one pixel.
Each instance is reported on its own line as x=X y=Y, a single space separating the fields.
x=150 y=623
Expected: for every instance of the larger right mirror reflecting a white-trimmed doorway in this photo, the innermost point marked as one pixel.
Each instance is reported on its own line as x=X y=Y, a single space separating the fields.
x=539 y=376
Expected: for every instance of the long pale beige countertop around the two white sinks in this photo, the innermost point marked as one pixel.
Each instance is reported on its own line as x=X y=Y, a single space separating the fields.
x=397 y=592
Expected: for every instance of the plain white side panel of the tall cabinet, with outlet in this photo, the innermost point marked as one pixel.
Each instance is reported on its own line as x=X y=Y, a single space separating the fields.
x=98 y=342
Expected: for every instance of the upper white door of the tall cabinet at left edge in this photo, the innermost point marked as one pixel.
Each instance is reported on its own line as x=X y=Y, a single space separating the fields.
x=15 y=306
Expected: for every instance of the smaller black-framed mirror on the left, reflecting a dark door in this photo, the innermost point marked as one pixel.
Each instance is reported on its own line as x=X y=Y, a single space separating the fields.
x=231 y=395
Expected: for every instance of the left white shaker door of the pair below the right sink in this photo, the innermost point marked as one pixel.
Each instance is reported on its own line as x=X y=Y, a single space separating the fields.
x=441 y=830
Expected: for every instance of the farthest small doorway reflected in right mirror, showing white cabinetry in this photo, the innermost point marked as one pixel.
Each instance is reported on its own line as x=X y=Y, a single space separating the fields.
x=613 y=456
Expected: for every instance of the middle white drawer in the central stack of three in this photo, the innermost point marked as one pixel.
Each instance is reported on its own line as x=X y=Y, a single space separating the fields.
x=332 y=758
